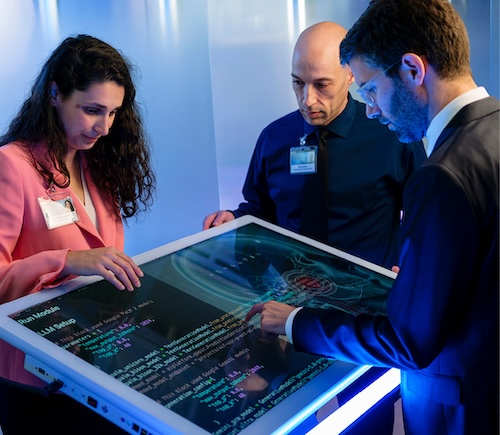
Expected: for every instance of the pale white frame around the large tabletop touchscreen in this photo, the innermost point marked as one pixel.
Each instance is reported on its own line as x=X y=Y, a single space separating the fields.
x=291 y=411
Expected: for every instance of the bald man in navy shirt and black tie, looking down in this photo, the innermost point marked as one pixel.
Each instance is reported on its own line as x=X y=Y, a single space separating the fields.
x=366 y=166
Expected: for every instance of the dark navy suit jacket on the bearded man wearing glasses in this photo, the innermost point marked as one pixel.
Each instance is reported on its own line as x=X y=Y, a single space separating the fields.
x=442 y=324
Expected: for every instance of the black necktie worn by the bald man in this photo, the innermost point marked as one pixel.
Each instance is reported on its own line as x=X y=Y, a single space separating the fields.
x=315 y=208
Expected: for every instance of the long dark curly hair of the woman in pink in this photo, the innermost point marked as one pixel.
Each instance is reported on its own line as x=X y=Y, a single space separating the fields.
x=119 y=162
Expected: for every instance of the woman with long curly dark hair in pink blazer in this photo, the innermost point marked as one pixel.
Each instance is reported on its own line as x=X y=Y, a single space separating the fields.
x=79 y=137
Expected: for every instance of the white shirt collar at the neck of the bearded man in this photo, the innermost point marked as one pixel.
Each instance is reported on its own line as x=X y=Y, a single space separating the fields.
x=446 y=114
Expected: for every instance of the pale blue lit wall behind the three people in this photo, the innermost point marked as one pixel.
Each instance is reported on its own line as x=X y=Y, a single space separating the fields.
x=212 y=74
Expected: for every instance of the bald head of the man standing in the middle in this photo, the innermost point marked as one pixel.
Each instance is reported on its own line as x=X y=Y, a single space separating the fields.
x=320 y=82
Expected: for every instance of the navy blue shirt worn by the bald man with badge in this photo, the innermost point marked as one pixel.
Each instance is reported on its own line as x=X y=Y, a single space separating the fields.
x=368 y=168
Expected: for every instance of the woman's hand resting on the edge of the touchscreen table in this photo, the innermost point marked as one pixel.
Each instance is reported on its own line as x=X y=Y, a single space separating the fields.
x=114 y=266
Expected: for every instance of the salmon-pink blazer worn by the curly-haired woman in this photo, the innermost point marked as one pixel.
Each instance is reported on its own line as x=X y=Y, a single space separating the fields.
x=31 y=255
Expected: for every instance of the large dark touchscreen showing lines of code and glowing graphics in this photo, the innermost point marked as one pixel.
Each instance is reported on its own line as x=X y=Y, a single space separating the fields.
x=181 y=339
